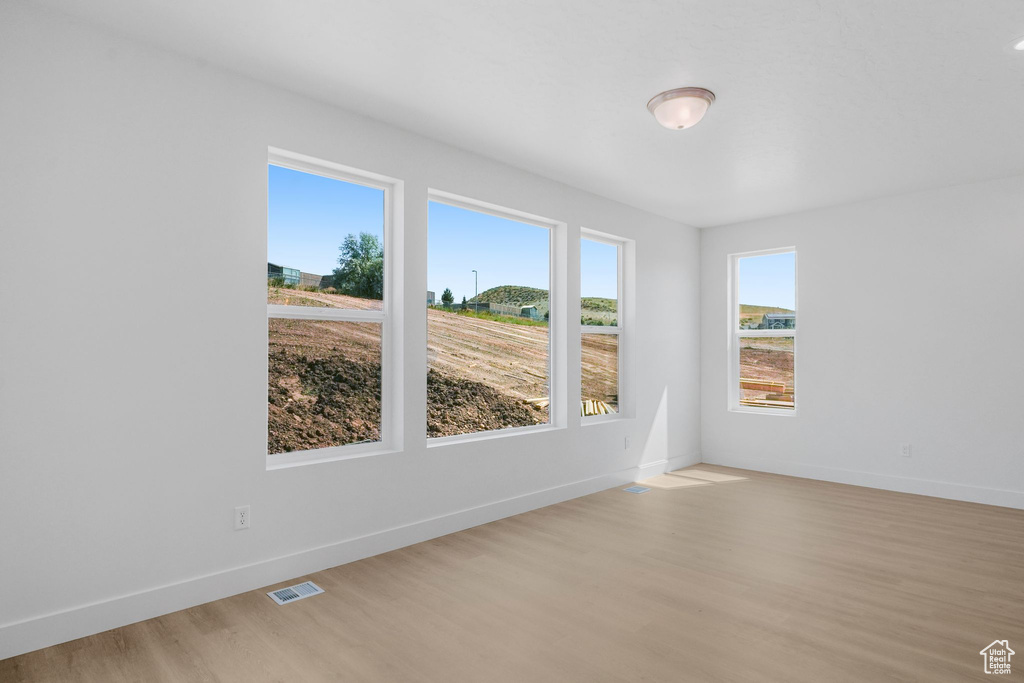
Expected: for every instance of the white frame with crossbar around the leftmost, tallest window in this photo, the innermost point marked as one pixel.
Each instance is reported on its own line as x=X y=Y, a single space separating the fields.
x=389 y=318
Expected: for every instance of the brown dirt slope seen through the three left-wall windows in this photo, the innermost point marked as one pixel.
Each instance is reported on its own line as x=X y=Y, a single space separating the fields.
x=325 y=377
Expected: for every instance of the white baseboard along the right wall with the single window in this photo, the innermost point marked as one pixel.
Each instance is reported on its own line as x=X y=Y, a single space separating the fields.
x=956 y=492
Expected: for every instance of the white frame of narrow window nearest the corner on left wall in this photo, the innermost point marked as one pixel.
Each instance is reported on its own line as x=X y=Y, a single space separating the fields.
x=621 y=330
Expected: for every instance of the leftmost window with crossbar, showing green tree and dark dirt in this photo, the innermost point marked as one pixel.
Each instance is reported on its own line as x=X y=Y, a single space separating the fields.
x=328 y=310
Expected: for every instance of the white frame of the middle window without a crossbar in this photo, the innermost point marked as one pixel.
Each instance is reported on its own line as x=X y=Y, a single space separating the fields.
x=558 y=381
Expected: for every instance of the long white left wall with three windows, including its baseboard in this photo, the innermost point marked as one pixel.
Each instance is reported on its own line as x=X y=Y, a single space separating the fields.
x=134 y=341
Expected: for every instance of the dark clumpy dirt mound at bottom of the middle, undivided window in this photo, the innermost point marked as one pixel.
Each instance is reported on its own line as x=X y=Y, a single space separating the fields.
x=456 y=406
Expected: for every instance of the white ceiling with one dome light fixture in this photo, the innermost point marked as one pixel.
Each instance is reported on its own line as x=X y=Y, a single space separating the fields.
x=820 y=102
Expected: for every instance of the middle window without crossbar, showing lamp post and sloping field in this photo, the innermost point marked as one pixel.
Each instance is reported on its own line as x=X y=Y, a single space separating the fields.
x=489 y=318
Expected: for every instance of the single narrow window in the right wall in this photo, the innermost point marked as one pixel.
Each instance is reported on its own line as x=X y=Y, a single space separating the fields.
x=763 y=331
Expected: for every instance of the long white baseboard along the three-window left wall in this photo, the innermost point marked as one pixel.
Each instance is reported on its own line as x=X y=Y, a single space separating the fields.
x=26 y=636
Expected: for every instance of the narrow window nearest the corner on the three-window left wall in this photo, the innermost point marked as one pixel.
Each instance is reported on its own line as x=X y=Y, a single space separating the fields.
x=602 y=324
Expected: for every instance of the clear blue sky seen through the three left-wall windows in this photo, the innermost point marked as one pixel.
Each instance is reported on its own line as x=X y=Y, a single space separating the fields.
x=309 y=218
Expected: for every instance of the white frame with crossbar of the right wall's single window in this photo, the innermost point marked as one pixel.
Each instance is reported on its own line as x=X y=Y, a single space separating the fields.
x=736 y=334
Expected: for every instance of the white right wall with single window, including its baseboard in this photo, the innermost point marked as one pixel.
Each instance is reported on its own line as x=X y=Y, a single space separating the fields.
x=910 y=332
